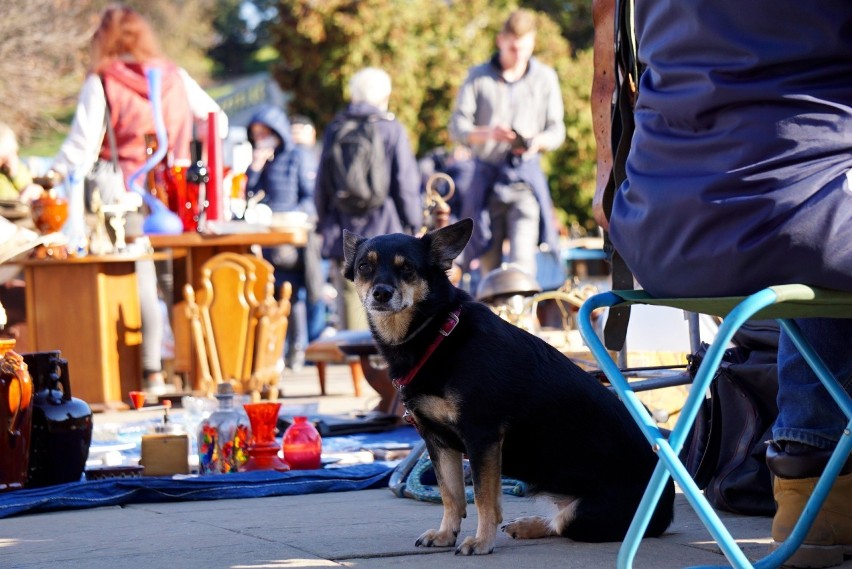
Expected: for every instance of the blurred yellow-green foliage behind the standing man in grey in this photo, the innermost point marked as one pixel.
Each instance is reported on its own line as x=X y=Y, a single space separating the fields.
x=427 y=47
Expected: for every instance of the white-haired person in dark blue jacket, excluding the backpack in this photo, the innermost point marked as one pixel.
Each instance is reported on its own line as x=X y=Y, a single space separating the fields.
x=402 y=211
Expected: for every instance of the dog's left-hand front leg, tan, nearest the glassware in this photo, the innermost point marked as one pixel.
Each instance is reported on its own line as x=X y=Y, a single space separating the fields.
x=450 y=474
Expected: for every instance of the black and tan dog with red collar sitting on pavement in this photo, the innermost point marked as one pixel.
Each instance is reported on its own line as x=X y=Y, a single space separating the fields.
x=477 y=385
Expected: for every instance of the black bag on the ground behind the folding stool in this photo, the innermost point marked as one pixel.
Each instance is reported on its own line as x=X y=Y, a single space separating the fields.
x=726 y=451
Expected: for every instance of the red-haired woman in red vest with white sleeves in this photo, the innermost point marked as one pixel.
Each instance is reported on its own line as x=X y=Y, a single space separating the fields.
x=123 y=48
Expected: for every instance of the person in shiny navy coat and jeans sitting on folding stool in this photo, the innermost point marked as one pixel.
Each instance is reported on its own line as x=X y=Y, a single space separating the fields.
x=738 y=178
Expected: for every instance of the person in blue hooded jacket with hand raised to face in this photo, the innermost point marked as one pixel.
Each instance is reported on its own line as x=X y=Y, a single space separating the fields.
x=285 y=172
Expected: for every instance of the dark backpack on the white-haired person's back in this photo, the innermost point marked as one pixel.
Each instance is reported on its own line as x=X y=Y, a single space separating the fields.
x=357 y=180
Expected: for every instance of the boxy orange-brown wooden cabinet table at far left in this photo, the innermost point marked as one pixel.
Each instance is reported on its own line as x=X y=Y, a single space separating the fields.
x=88 y=308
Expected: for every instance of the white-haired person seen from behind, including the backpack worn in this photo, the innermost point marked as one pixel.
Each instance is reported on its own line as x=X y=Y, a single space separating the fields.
x=368 y=181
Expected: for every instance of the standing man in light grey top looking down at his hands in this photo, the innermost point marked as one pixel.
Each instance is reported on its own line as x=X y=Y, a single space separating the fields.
x=508 y=111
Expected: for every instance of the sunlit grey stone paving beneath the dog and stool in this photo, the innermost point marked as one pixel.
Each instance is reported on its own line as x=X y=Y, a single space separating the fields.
x=365 y=529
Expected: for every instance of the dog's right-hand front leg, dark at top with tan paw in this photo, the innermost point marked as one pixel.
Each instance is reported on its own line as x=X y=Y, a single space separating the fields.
x=487 y=493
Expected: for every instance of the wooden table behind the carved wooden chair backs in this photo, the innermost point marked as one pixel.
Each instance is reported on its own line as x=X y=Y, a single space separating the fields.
x=189 y=252
